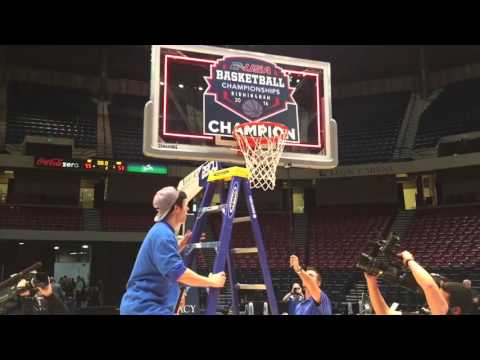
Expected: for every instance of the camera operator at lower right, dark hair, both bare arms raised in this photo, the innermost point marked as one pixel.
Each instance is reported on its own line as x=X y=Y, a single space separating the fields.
x=447 y=298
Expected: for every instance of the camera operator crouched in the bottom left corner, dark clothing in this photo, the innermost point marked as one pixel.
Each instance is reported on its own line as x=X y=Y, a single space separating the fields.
x=39 y=300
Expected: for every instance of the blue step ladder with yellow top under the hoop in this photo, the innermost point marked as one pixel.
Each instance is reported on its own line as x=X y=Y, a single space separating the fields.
x=238 y=178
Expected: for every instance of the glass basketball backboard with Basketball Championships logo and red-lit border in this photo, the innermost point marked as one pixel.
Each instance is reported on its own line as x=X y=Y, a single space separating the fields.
x=199 y=93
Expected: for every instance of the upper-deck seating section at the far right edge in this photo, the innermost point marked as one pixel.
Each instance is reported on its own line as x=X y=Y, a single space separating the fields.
x=455 y=111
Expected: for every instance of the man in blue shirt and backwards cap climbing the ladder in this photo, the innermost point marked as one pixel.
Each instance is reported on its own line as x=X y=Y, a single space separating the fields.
x=153 y=285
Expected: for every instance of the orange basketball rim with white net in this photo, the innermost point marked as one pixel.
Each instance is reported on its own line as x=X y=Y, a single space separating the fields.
x=261 y=144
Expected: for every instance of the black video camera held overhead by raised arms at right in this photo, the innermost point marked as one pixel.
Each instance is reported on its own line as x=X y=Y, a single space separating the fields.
x=381 y=260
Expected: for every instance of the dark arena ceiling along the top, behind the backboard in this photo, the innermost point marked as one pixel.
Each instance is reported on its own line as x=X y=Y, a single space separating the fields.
x=349 y=63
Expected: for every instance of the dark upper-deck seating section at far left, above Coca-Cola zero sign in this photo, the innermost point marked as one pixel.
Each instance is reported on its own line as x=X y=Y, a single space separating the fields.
x=53 y=112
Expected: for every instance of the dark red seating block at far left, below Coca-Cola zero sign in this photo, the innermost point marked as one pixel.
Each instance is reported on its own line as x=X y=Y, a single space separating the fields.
x=40 y=218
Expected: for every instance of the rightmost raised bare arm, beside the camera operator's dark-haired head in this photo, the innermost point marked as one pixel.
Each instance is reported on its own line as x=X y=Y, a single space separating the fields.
x=435 y=300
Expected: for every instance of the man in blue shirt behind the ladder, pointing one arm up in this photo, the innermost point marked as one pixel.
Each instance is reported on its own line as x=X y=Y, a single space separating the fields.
x=316 y=301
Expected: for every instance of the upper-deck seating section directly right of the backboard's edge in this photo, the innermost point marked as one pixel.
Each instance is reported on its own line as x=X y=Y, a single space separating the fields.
x=368 y=126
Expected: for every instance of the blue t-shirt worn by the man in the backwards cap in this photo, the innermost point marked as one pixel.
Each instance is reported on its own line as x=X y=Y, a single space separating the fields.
x=153 y=288
